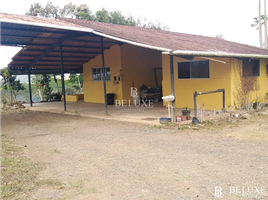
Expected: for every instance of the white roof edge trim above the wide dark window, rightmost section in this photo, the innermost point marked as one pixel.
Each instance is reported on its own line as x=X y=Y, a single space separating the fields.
x=216 y=54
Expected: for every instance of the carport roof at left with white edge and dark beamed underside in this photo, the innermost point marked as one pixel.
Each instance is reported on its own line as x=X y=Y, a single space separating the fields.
x=41 y=42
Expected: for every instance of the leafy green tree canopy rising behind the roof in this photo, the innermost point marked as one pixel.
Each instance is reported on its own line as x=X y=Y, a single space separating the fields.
x=82 y=11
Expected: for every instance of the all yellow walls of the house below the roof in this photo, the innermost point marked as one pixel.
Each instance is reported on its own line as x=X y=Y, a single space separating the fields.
x=132 y=66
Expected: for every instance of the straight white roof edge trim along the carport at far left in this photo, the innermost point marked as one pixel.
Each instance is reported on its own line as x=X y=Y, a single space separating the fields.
x=46 y=25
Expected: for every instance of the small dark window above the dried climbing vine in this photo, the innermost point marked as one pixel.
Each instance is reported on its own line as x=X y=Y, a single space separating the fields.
x=251 y=67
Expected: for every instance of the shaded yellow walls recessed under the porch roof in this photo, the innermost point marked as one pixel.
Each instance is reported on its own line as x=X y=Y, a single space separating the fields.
x=137 y=67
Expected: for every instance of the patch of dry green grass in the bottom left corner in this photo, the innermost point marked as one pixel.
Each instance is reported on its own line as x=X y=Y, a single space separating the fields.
x=18 y=174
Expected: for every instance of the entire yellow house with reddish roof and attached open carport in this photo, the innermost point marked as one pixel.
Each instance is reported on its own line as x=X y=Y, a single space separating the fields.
x=179 y=64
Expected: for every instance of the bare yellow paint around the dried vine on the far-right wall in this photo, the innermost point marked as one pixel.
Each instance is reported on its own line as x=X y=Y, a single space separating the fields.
x=236 y=85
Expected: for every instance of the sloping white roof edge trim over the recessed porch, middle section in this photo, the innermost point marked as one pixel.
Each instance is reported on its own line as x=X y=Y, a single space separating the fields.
x=133 y=43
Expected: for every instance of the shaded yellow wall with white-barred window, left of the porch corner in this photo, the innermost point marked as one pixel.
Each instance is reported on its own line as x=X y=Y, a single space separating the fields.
x=93 y=90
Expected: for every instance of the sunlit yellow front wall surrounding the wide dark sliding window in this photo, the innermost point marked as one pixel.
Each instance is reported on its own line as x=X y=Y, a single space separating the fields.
x=220 y=78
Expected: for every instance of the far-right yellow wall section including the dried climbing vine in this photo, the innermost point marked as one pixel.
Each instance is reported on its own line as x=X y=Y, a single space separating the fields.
x=240 y=88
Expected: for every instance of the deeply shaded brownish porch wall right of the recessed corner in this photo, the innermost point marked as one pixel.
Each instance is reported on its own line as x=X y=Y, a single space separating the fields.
x=138 y=67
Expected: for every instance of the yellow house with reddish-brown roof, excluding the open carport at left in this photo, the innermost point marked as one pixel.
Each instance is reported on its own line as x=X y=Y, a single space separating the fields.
x=200 y=64
